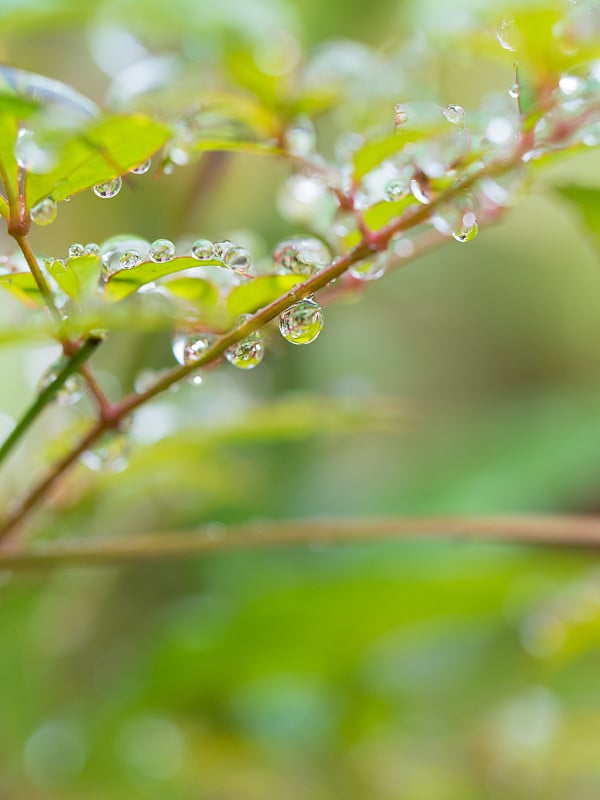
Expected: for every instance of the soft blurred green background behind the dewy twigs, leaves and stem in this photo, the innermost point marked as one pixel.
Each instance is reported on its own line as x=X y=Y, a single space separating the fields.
x=466 y=383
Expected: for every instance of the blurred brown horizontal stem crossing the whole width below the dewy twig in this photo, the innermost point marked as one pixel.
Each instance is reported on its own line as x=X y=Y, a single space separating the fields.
x=562 y=531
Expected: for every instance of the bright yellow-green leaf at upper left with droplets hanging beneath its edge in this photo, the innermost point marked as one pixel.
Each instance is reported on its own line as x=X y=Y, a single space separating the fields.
x=106 y=149
